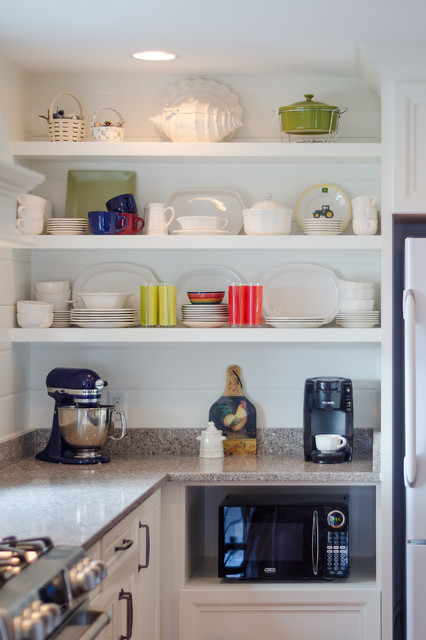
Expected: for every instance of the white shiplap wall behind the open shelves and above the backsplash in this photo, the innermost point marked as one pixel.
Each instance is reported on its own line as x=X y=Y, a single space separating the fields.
x=174 y=386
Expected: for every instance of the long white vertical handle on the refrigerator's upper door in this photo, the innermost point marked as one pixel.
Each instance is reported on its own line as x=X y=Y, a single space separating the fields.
x=409 y=313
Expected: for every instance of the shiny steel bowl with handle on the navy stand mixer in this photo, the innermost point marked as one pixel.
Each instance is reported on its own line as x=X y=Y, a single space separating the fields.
x=86 y=430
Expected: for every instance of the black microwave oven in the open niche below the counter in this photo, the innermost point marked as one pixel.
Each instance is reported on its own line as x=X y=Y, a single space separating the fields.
x=281 y=537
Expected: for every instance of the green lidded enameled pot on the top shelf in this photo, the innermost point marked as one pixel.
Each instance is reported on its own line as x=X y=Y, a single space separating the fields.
x=309 y=117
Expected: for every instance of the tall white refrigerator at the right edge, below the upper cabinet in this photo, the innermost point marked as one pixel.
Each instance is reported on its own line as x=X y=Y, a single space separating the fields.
x=409 y=432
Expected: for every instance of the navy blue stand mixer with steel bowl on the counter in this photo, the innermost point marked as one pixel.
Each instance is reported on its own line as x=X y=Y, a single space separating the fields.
x=81 y=425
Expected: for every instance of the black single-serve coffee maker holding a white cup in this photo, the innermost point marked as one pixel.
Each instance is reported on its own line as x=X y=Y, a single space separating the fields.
x=327 y=408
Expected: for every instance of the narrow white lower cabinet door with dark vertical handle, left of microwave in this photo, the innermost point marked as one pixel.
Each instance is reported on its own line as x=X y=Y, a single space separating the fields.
x=148 y=604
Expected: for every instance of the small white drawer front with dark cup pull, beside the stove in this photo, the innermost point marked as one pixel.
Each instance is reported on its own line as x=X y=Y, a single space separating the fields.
x=120 y=542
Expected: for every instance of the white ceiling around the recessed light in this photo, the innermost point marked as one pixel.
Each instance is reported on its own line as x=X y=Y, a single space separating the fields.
x=211 y=37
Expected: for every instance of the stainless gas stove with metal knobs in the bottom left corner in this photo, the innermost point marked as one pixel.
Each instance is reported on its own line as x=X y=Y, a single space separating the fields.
x=42 y=585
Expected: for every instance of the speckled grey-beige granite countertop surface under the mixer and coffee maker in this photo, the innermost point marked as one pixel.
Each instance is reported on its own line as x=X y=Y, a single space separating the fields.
x=77 y=505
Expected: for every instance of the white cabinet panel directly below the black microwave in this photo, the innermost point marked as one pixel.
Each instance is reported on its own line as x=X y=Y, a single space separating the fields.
x=237 y=615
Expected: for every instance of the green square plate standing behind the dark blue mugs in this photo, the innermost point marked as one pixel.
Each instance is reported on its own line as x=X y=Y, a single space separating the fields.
x=90 y=190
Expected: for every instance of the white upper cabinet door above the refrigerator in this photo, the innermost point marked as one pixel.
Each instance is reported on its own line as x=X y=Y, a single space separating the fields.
x=409 y=169
